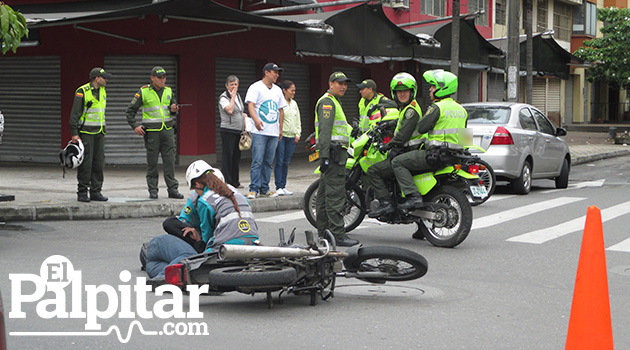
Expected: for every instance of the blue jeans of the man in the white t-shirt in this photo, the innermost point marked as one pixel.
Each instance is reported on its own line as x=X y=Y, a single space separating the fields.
x=263 y=153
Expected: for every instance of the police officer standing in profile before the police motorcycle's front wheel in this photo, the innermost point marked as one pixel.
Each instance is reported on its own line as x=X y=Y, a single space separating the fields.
x=332 y=133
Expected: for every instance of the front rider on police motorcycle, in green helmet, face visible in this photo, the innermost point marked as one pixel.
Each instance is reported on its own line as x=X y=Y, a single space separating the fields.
x=406 y=138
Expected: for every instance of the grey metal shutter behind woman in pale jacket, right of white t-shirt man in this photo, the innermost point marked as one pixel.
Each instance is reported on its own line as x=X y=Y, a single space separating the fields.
x=300 y=75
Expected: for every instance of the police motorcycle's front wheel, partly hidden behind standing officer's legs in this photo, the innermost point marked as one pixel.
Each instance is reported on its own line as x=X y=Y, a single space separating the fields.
x=353 y=211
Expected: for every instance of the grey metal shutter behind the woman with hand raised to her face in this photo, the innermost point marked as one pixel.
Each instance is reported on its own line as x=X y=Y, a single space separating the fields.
x=245 y=70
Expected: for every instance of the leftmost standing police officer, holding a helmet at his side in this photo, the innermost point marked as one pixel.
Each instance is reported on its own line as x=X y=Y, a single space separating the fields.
x=87 y=123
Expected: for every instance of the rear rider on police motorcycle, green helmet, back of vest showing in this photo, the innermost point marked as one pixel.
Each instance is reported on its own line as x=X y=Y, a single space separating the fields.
x=442 y=123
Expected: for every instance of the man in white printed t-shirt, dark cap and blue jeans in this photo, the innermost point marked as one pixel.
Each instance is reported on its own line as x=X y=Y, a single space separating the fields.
x=265 y=102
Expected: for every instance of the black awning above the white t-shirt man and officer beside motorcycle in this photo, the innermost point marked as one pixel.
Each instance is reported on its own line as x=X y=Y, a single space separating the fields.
x=362 y=33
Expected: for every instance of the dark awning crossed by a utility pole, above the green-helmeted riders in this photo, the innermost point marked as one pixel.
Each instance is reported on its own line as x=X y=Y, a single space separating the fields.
x=475 y=52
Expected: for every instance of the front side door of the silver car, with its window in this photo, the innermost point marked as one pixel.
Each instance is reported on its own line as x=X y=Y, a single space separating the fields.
x=552 y=148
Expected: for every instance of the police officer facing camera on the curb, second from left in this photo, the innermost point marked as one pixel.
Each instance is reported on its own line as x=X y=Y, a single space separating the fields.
x=159 y=110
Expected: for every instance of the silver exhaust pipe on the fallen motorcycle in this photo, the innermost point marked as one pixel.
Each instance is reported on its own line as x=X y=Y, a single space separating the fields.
x=239 y=252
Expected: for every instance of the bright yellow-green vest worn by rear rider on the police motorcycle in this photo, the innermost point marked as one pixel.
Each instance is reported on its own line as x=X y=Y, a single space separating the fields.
x=450 y=124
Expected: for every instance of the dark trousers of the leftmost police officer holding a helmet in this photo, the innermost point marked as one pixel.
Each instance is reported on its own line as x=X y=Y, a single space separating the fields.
x=90 y=172
